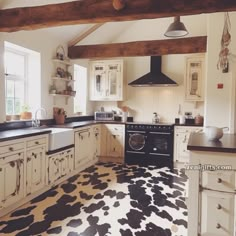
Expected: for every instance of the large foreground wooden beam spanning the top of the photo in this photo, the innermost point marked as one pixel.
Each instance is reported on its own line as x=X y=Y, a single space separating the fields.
x=101 y=11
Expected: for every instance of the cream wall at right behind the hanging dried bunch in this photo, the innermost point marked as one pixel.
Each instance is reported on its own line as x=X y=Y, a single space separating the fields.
x=220 y=103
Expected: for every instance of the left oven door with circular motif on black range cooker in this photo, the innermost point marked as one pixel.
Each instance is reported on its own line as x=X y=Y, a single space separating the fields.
x=136 y=141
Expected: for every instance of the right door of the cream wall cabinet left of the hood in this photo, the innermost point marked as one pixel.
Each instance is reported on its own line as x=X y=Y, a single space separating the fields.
x=113 y=88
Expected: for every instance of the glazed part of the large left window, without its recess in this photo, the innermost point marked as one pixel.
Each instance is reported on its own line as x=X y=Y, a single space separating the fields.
x=15 y=80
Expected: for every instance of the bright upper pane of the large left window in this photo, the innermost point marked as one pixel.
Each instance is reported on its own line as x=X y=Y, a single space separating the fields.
x=15 y=64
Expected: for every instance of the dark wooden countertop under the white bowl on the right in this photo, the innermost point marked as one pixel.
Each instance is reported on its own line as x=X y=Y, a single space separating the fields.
x=199 y=142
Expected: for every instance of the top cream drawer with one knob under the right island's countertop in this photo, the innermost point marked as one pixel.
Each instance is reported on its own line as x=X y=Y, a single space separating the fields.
x=219 y=180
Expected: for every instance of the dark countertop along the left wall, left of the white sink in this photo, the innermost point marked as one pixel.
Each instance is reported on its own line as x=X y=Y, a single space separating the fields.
x=21 y=133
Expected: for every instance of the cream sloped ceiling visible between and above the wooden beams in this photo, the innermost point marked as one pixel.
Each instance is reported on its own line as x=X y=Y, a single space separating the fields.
x=109 y=32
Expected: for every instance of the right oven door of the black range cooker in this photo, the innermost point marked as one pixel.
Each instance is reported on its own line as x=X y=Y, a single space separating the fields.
x=161 y=144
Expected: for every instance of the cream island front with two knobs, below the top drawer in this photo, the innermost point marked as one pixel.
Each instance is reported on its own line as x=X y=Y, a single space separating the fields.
x=217 y=213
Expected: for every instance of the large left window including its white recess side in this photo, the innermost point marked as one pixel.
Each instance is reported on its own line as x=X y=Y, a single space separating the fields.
x=22 y=79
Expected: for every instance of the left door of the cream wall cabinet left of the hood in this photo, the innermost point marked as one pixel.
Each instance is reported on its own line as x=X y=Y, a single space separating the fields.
x=98 y=87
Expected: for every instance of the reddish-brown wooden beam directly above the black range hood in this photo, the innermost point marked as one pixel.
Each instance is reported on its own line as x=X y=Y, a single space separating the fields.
x=140 y=48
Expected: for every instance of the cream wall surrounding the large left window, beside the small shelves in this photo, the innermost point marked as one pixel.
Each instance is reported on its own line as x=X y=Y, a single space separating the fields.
x=46 y=45
